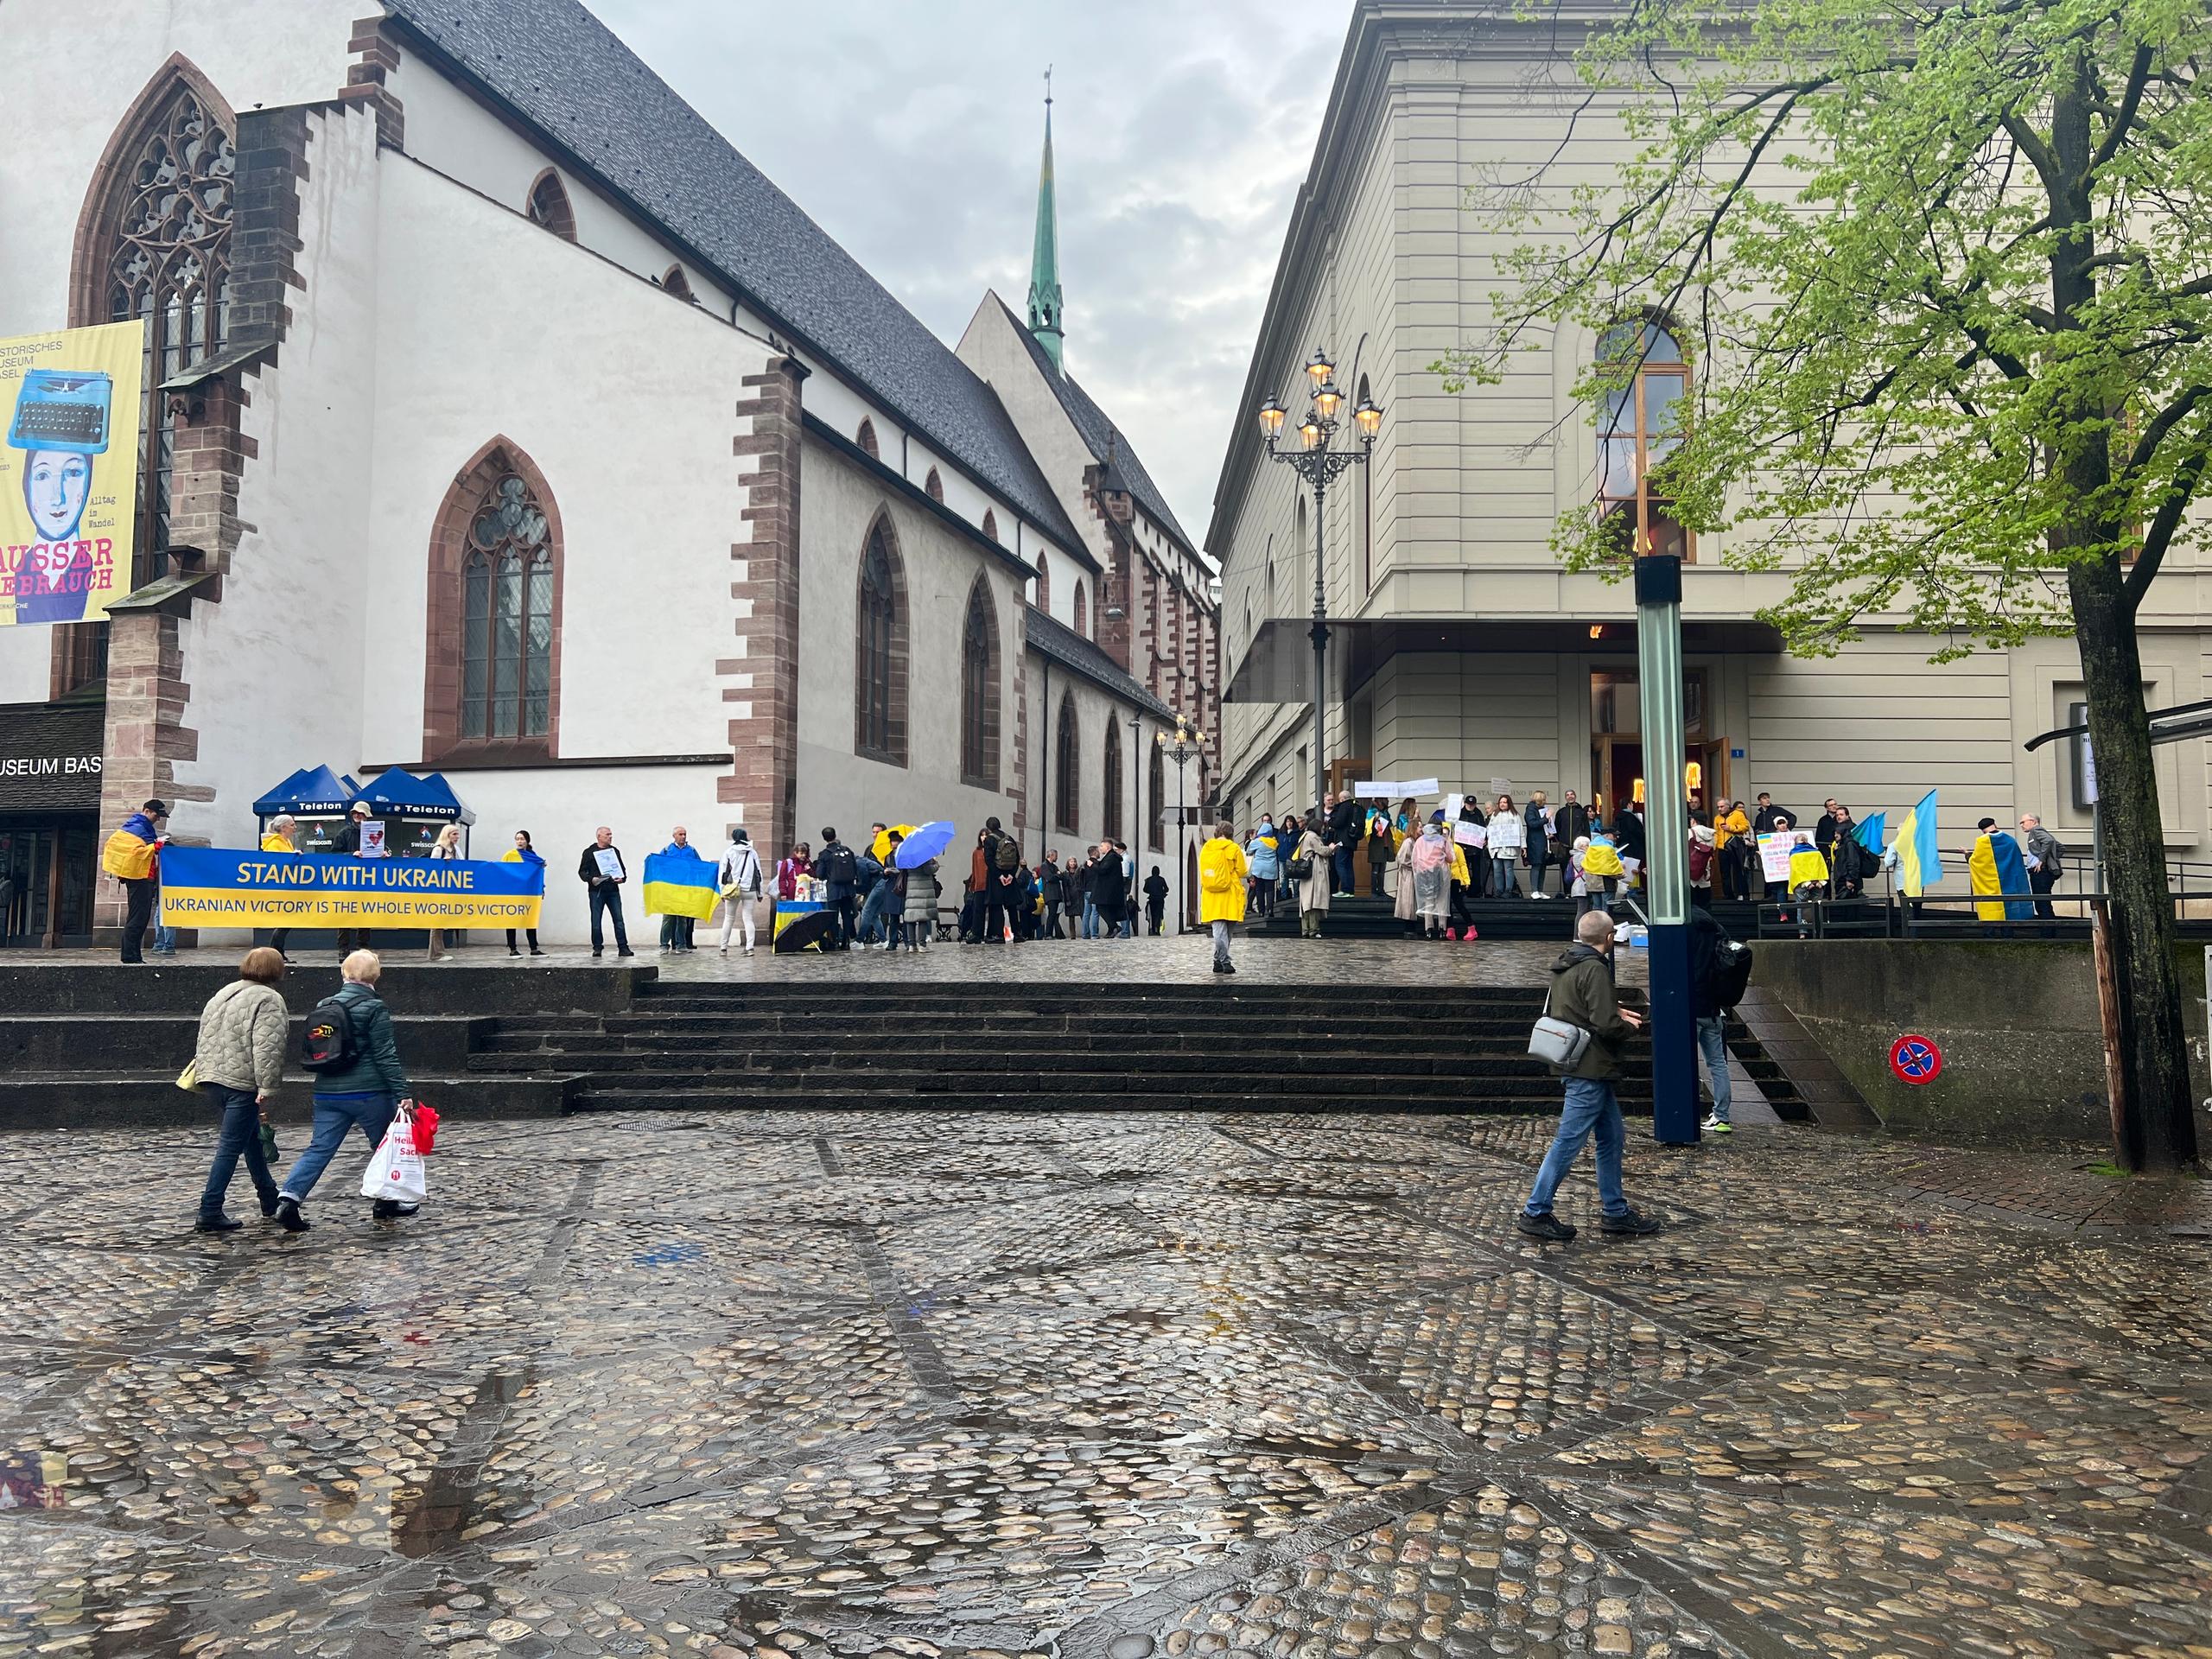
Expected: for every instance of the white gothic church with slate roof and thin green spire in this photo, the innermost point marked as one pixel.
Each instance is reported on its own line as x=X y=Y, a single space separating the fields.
x=505 y=421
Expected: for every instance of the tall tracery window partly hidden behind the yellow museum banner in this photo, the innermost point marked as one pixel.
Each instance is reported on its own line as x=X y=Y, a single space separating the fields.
x=169 y=267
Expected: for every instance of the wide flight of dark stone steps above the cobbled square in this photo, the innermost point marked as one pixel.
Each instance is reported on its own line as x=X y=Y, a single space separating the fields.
x=1070 y=1047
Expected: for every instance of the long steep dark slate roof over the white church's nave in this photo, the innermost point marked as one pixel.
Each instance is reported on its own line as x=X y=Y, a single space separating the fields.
x=567 y=74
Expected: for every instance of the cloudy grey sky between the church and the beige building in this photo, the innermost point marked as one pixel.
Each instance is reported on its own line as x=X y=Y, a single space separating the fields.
x=910 y=132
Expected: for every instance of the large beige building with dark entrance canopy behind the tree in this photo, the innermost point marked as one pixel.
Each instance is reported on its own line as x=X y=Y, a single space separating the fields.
x=1459 y=647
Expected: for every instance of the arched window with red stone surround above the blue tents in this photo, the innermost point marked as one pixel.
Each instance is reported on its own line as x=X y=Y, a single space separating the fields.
x=494 y=612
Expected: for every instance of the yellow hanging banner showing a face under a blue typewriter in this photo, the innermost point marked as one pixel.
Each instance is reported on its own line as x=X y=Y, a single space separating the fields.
x=70 y=472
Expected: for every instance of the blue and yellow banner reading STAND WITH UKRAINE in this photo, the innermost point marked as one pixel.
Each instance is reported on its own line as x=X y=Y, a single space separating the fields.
x=227 y=888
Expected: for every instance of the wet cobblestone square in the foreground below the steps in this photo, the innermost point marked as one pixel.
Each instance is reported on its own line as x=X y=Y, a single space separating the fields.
x=1096 y=1388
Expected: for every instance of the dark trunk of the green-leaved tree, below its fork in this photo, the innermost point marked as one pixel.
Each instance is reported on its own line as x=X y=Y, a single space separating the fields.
x=2160 y=1125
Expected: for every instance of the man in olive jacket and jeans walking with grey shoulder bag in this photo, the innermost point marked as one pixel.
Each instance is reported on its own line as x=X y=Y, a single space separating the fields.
x=1583 y=997
